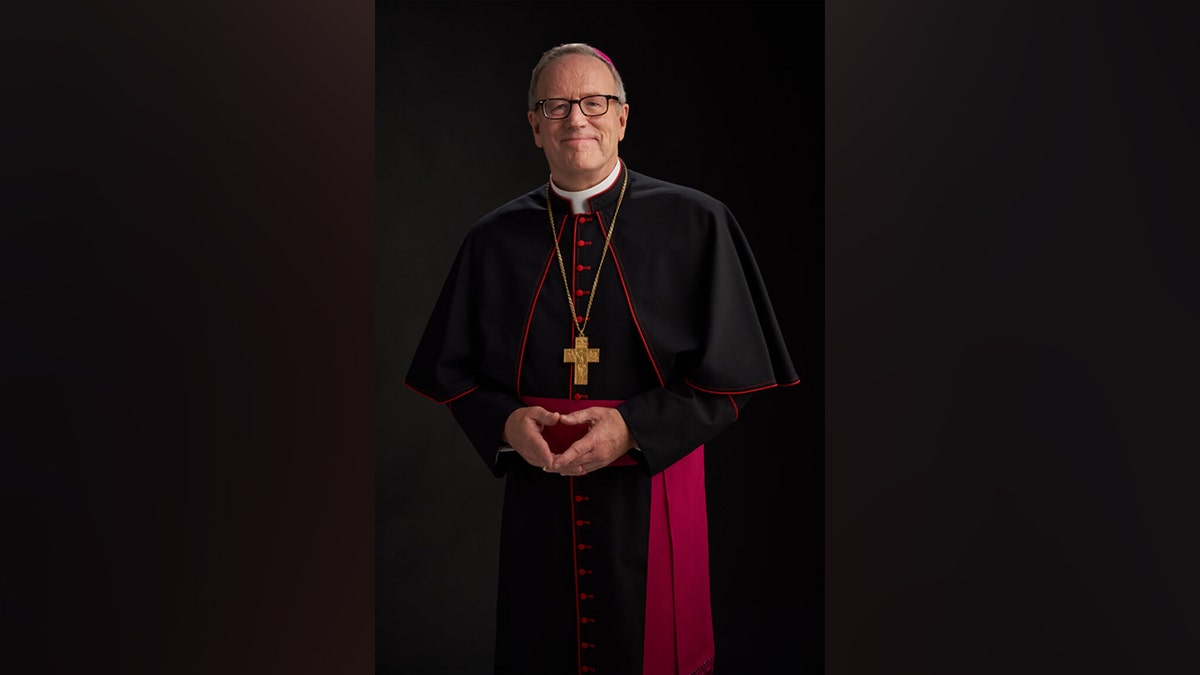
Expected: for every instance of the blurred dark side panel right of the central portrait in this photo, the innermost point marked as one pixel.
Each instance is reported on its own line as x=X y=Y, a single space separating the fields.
x=1012 y=319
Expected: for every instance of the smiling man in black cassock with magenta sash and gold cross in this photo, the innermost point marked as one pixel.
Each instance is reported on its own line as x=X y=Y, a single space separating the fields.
x=591 y=337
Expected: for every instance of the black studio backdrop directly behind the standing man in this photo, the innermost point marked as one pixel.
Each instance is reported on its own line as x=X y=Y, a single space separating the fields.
x=441 y=166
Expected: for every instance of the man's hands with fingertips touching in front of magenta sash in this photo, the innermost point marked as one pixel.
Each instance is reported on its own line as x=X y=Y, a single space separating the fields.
x=607 y=439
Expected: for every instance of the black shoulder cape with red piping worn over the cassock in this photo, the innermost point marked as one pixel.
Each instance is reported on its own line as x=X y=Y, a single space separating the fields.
x=689 y=276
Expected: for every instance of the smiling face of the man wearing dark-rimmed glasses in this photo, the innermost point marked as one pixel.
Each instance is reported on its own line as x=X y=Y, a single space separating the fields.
x=581 y=151
